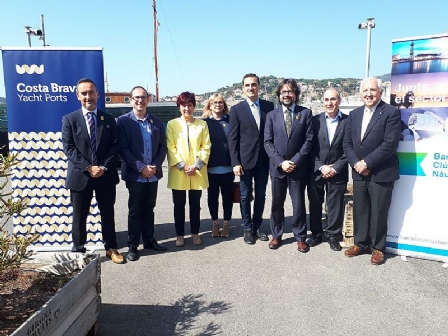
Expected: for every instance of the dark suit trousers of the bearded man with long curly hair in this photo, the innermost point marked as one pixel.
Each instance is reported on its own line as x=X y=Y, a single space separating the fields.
x=296 y=188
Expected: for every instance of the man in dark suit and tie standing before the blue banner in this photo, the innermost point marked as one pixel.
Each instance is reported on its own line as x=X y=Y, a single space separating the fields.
x=90 y=142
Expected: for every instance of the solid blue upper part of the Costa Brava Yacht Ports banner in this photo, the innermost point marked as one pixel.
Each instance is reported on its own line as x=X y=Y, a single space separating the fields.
x=41 y=85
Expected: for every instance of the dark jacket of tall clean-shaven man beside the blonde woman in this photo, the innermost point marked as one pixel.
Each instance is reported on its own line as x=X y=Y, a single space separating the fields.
x=246 y=143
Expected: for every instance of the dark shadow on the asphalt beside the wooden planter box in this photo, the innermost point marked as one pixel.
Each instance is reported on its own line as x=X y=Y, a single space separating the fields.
x=155 y=320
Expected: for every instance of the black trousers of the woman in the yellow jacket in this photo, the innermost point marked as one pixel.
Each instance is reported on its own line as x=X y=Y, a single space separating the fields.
x=179 y=200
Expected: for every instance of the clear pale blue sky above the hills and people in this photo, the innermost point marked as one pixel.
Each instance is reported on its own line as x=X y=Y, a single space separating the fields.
x=204 y=45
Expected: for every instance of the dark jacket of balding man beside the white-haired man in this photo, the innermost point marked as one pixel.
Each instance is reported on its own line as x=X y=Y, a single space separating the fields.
x=324 y=153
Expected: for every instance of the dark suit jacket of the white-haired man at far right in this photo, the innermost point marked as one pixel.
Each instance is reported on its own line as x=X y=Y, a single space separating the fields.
x=379 y=146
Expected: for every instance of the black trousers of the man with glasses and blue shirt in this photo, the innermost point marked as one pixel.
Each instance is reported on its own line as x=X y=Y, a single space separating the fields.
x=141 y=203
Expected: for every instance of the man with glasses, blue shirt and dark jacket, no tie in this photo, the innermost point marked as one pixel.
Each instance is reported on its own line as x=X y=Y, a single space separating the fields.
x=143 y=150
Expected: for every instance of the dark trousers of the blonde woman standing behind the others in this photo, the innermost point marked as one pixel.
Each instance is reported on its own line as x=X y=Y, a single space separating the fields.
x=223 y=182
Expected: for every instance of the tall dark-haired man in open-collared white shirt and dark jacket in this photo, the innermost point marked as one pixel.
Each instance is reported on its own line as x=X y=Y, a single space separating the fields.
x=247 y=155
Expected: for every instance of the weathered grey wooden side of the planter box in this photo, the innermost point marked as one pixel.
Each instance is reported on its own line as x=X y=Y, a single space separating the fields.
x=73 y=310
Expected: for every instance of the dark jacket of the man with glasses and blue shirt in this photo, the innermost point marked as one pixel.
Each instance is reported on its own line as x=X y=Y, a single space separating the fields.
x=132 y=148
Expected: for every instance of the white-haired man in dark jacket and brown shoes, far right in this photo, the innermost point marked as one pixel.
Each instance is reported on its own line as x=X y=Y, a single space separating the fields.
x=371 y=140
